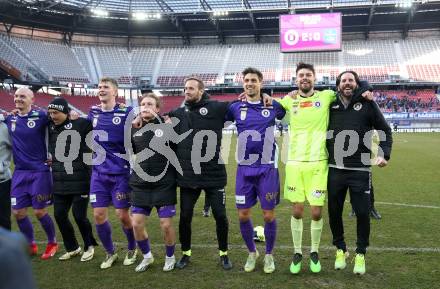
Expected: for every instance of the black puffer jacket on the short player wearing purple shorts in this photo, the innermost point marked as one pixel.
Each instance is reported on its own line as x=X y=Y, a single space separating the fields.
x=156 y=183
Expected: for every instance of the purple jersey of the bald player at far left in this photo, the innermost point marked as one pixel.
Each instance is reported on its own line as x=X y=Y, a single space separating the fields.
x=29 y=140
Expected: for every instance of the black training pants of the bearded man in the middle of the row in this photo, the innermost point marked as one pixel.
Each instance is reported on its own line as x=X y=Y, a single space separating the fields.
x=217 y=200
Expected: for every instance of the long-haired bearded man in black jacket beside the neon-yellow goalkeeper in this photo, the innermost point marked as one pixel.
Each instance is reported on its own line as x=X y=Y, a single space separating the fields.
x=353 y=120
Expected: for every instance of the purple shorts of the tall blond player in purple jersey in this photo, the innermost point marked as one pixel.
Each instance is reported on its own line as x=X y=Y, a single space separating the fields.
x=109 y=189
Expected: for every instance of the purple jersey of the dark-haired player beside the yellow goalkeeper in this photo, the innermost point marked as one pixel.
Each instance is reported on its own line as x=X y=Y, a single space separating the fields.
x=255 y=125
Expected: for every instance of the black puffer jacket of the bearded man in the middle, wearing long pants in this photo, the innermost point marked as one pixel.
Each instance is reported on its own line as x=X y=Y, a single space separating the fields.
x=205 y=115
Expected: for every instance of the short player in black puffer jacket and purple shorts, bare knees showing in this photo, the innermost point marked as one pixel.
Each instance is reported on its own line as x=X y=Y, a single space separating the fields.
x=153 y=181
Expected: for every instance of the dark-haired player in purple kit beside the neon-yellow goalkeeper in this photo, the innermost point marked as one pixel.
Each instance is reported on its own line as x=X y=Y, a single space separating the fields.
x=257 y=171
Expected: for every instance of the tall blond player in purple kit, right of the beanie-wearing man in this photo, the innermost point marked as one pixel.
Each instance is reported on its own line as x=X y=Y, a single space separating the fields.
x=110 y=174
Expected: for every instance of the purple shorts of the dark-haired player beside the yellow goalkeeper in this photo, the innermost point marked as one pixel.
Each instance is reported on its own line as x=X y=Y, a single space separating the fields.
x=252 y=183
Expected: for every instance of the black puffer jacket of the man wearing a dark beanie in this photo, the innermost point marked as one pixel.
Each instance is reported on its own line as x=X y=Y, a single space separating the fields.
x=78 y=182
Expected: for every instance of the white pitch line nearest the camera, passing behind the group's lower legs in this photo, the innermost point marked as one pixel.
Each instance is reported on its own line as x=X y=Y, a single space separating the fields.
x=290 y=247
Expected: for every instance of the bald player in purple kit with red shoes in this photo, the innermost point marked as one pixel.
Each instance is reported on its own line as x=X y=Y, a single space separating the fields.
x=32 y=179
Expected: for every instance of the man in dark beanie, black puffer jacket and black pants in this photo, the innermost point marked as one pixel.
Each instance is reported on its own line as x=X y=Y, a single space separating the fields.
x=71 y=177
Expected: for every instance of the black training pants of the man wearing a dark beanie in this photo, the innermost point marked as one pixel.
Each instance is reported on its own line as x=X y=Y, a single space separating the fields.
x=79 y=204
